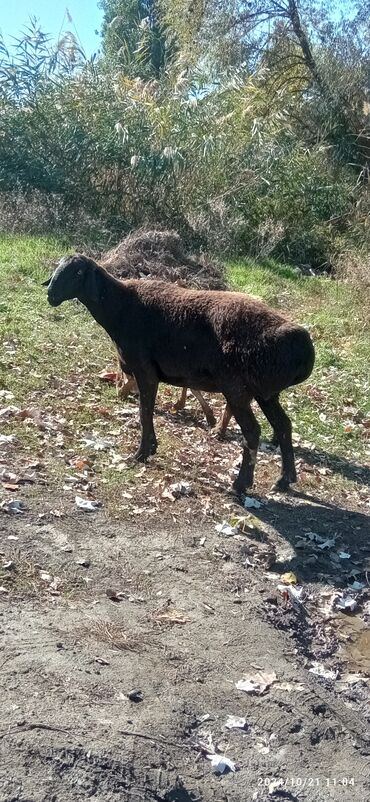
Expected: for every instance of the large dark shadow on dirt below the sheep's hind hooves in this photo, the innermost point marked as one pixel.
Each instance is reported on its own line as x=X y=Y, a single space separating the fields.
x=295 y=515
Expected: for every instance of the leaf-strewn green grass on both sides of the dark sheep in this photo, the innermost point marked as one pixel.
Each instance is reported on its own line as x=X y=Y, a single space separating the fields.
x=50 y=359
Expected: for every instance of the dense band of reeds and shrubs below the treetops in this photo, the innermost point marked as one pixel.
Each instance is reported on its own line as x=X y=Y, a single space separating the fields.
x=99 y=149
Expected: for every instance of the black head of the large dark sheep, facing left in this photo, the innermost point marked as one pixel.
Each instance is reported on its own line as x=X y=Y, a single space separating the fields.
x=73 y=278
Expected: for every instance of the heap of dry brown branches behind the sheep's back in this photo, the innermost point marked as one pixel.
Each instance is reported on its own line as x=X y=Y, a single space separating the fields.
x=161 y=254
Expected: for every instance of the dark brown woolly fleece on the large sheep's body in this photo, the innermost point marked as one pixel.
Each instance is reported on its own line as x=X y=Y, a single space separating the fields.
x=198 y=338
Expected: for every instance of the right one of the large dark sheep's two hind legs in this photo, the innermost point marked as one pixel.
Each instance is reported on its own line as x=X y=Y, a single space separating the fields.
x=282 y=427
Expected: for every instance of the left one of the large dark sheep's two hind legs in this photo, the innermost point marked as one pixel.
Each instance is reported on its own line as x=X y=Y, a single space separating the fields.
x=251 y=432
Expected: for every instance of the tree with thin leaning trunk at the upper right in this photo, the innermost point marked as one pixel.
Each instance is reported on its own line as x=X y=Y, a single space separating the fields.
x=318 y=60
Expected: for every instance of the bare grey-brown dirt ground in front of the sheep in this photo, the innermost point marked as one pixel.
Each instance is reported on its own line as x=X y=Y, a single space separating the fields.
x=122 y=642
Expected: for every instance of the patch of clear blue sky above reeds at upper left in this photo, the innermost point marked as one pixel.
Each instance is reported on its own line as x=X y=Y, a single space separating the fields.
x=86 y=17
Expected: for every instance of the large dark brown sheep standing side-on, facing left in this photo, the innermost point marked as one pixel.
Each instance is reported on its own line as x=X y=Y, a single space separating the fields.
x=214 y=341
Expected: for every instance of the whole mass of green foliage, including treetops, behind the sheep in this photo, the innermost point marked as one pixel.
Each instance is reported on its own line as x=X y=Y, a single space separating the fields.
x=250 y=159
